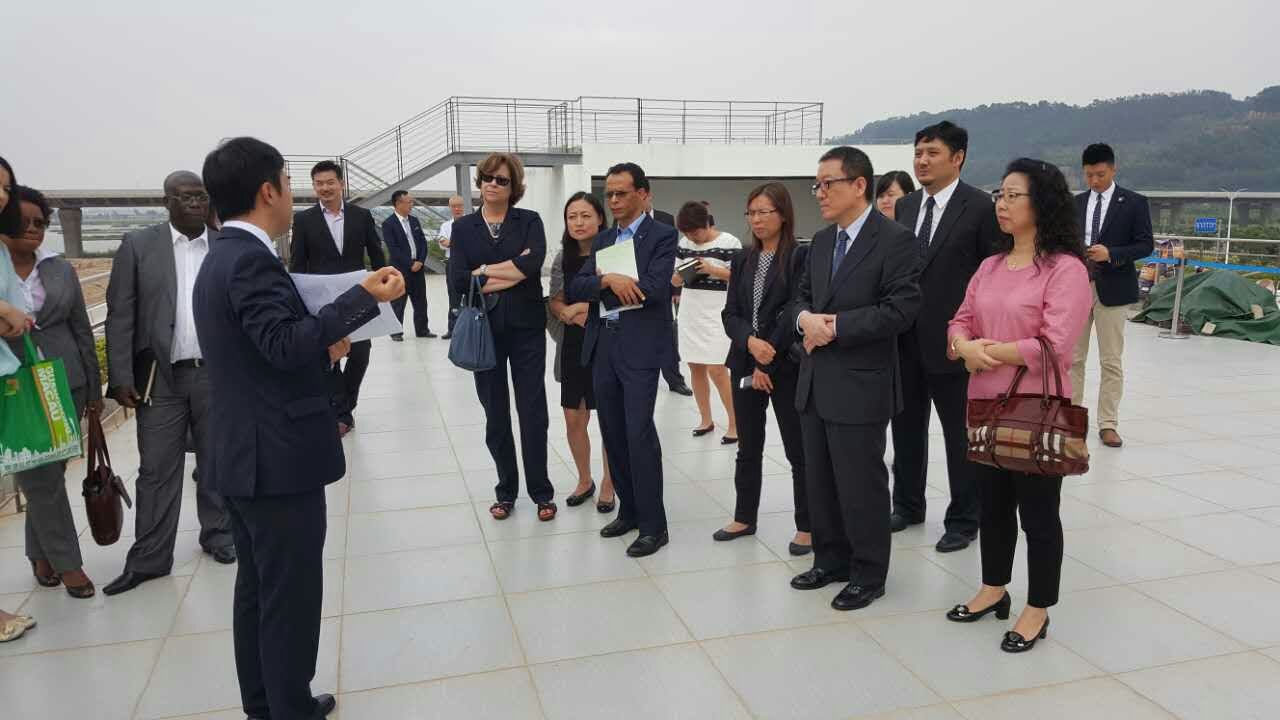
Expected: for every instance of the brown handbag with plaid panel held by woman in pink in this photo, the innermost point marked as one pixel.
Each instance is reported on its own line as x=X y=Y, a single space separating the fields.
x=1040 y=435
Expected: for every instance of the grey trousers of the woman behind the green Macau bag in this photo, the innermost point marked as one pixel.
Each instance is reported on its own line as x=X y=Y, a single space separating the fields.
x=52 y=534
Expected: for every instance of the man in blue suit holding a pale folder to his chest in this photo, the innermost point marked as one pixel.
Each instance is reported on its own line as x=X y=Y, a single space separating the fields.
x=630 y=348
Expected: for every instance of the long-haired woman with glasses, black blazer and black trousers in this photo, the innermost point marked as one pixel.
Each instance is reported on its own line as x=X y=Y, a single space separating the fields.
x=761 y=289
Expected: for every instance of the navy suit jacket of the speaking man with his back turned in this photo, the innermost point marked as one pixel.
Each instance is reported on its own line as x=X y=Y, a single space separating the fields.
x=272 y=429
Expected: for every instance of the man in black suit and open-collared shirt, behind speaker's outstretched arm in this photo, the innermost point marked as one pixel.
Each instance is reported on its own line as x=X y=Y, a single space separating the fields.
x=330 y=239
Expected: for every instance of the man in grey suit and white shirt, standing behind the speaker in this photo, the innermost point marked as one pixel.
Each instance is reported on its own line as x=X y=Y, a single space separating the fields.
x=156 y=366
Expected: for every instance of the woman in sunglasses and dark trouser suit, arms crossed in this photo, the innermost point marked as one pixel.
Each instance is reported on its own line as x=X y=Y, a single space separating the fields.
x=499 y=257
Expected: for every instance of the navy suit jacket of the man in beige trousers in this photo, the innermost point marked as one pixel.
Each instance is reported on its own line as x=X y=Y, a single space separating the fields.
x=1127 y=234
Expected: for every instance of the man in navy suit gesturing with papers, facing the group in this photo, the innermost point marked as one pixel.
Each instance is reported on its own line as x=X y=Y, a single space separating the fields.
x=272 y=425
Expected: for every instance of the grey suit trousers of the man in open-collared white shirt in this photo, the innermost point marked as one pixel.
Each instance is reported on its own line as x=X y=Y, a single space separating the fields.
x=163 y=449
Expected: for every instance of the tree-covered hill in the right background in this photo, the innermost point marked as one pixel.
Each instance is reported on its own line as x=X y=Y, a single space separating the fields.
x=1199 y=140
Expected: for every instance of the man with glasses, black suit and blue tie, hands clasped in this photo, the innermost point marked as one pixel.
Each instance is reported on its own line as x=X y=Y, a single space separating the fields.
x=860 y=291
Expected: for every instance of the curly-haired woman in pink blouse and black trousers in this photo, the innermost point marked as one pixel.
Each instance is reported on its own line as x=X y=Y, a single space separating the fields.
x=1035 y=286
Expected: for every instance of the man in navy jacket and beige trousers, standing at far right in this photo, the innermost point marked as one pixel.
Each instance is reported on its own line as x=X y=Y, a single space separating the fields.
x=1117 y=234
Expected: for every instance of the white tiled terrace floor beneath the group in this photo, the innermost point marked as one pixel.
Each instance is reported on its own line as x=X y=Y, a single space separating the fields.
x=433 y=610
